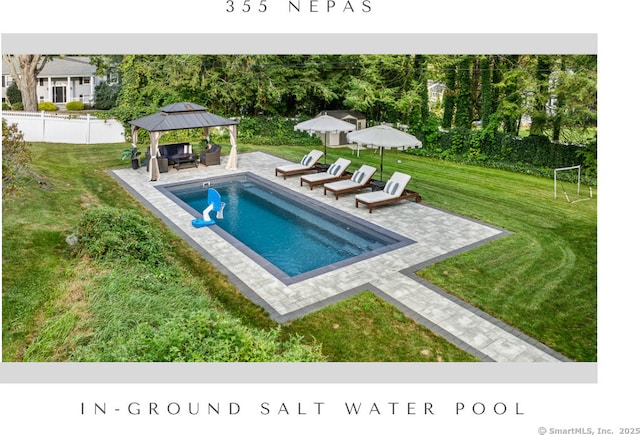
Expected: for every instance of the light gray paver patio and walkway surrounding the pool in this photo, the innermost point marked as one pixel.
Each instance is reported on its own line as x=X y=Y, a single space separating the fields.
x=390 y=275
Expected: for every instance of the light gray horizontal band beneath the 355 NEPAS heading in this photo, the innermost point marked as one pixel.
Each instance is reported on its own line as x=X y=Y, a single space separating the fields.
x=167 y=43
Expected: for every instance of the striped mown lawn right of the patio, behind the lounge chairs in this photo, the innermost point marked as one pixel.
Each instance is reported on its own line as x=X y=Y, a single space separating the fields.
x=542 y=278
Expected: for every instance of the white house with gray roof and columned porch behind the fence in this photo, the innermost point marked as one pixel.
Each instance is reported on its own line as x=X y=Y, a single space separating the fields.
x=62 y=80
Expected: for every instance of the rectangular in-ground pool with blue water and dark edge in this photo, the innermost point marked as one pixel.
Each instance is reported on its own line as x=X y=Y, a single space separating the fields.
x=292 y=236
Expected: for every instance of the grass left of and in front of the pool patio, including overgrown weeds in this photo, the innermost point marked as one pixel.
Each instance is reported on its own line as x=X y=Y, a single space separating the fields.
x=59 y=307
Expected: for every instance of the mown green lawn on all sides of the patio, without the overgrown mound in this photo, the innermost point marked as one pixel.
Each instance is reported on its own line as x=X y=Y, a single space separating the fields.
x=541 y=279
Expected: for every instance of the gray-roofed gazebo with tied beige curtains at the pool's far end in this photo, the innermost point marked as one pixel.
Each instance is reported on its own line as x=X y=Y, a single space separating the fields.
x=181 y=116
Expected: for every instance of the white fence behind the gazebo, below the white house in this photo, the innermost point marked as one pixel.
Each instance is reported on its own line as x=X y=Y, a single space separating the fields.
x=58 y=128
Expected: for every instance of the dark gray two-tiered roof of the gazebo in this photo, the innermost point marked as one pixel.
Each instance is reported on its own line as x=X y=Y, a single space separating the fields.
x=181 y=116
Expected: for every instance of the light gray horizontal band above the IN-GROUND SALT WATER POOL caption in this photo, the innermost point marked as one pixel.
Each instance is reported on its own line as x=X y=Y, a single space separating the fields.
x=298 y=373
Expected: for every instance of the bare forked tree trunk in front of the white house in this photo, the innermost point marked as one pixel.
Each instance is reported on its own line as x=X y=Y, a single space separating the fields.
x=24 y=70
